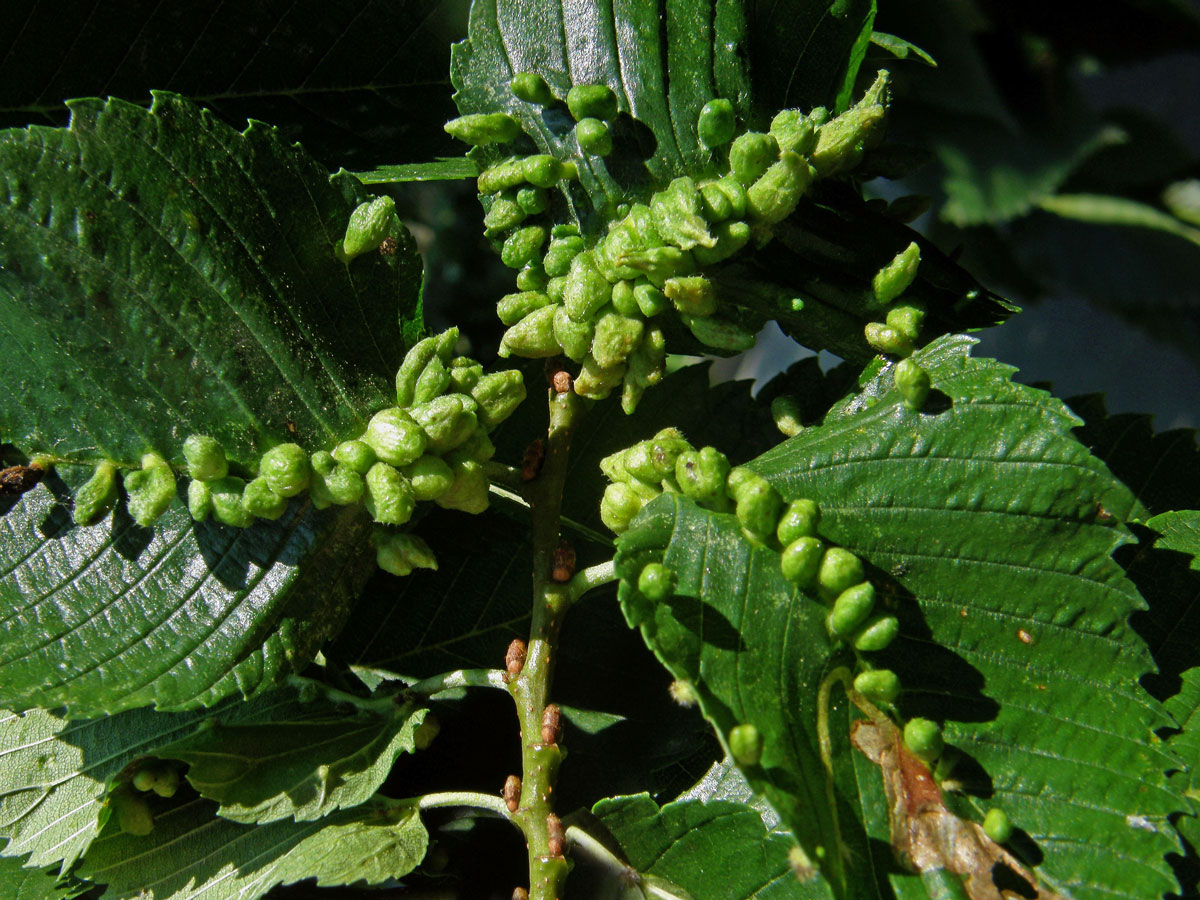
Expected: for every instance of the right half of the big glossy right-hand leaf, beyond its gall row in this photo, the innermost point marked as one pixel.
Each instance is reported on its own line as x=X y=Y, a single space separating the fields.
x=992 y=515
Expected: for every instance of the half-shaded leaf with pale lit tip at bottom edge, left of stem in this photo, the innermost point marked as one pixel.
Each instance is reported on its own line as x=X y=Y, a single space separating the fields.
x=191 y=851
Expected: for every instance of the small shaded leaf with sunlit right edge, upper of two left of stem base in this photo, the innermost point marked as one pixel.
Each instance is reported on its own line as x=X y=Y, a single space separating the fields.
x=302 y=761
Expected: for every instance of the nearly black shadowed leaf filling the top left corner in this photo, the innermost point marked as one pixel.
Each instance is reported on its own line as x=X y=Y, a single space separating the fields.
x=352 y=83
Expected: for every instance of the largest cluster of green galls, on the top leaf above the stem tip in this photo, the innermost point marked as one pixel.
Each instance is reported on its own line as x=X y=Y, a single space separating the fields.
x=597 y=302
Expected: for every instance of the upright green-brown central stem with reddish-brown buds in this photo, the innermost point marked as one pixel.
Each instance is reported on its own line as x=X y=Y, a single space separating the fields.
x=531 y=688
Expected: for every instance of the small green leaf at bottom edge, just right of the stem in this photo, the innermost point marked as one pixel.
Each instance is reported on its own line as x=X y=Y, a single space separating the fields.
x=717 y=849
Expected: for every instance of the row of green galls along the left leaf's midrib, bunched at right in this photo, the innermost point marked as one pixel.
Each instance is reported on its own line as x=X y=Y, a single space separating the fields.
x=431 y=446
